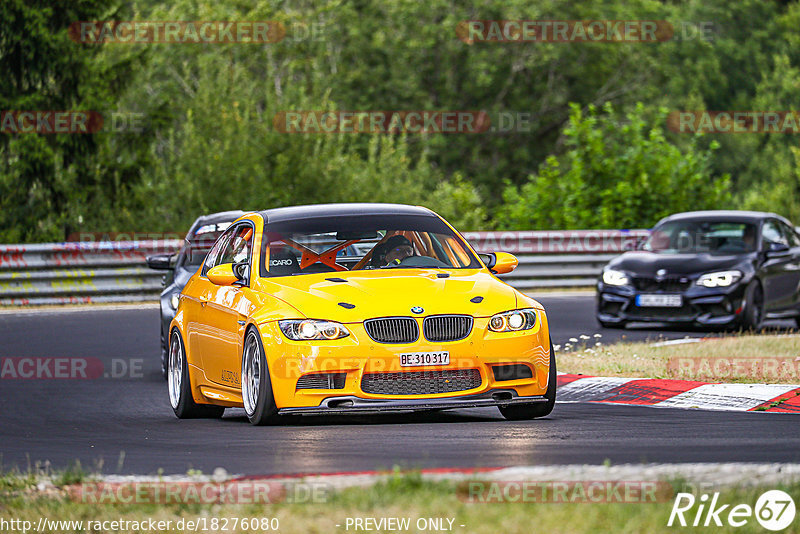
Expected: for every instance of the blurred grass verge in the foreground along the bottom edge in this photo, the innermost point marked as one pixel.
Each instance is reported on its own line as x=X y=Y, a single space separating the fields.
x=402 y=495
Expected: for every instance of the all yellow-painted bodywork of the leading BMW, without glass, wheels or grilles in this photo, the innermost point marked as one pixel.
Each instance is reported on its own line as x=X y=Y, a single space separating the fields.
x=213 y=320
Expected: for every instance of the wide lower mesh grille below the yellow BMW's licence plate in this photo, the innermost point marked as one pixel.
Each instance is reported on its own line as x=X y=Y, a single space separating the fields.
x=421 y=382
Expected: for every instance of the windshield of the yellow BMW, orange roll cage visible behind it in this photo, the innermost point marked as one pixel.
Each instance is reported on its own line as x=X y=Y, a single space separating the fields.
x=381 y=242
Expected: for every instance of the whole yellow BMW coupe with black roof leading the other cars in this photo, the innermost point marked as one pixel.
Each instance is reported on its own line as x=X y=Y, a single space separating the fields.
x=355 y=308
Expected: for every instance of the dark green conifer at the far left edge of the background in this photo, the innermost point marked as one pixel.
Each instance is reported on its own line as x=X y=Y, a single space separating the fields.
x=46 y=181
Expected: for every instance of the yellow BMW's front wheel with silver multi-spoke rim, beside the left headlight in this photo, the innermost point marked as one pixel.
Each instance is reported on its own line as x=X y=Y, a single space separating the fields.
x=259 y=402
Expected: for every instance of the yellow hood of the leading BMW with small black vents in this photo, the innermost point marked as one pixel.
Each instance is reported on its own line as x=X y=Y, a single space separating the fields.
x=389 y=293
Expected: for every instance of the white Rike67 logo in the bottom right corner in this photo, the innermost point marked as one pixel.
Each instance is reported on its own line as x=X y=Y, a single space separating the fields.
x=774 y=510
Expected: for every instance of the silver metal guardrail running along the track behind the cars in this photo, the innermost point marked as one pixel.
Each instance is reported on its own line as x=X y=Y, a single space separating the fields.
x=106 y=271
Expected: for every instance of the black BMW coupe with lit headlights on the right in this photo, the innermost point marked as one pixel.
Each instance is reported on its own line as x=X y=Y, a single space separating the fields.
x=710 y=268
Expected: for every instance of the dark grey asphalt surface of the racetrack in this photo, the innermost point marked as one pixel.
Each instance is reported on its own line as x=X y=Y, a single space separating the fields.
x=125 y=425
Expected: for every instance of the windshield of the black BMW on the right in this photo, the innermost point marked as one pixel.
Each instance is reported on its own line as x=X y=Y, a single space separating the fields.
x=693 y=237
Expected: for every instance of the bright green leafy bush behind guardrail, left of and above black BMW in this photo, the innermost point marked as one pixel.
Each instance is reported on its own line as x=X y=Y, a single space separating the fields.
x=617 y=172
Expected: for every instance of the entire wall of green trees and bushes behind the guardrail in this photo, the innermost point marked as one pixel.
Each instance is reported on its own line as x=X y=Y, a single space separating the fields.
x=209 y=144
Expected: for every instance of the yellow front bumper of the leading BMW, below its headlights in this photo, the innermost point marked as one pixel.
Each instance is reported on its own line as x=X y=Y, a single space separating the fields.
x=357 y=356
